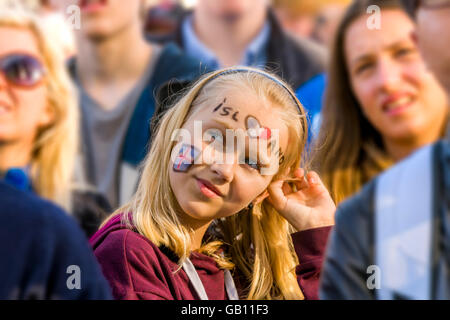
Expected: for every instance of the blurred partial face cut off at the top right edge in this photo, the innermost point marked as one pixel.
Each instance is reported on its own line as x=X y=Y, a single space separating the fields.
x=433 y=31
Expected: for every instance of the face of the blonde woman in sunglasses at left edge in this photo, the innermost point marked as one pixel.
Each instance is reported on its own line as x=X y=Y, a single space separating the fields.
x=23 y=110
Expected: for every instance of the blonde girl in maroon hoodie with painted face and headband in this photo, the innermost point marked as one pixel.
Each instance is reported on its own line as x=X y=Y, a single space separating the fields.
x=212 y=218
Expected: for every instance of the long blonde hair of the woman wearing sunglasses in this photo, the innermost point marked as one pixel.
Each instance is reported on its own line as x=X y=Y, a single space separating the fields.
x=55 y=148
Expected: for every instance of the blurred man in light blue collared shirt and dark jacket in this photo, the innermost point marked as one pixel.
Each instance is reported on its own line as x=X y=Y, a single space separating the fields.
x=245 y=32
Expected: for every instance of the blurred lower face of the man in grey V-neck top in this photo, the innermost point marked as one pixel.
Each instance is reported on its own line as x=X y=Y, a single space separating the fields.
x=105 y=18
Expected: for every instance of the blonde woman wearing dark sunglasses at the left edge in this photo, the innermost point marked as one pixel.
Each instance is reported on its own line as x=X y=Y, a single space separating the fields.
x=39 y=118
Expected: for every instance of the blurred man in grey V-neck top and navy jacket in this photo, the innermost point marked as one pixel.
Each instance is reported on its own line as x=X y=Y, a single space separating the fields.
x=118 y=73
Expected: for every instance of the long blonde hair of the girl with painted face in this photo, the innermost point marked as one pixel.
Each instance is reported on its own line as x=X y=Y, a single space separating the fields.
x=258 y=241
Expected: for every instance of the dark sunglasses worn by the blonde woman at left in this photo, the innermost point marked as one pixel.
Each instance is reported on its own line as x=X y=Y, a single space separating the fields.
x=22 y=70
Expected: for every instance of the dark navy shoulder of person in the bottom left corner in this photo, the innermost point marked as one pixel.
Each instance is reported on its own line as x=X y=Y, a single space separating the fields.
x=46 y=237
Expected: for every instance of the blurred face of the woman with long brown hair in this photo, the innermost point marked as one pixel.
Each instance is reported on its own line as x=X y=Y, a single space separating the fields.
x=396 y=92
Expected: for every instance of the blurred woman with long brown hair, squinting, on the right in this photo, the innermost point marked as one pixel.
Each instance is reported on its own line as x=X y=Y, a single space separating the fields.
x=382 y=102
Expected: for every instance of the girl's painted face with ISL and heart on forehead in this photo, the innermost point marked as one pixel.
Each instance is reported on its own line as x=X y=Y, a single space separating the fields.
x=218 y=187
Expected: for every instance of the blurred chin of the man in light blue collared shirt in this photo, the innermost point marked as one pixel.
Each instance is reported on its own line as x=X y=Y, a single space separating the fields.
x=231 y=10
